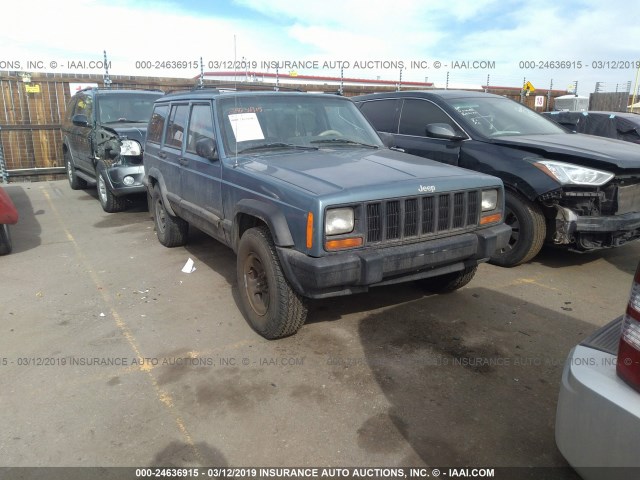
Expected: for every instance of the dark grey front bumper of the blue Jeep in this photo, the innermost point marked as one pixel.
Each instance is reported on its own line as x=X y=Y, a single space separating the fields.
x=355 y=271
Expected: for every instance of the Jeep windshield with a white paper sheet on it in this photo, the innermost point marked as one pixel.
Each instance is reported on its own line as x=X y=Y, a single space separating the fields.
x=261 y=123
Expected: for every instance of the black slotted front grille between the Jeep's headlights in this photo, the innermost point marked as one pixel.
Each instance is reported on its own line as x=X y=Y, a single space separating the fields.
x=416 y=217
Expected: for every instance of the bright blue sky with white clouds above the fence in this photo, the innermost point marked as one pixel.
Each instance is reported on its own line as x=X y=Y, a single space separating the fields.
x=502 y=32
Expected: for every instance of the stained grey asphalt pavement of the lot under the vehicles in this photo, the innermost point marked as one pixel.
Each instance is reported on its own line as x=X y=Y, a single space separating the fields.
x=110 y=355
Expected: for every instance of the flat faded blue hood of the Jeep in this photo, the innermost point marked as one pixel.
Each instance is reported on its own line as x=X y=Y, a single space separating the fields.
x=328 y=171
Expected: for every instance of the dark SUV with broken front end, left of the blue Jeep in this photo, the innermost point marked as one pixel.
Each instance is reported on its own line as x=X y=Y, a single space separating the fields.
x=103 y=134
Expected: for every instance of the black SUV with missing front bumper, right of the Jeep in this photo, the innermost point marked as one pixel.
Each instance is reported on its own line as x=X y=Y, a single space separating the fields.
x=570 y=190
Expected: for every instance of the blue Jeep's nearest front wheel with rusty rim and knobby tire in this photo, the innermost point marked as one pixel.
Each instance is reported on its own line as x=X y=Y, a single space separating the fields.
x=271 y=306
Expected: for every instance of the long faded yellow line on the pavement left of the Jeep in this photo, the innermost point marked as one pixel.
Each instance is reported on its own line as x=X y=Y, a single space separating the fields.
x=163 y=396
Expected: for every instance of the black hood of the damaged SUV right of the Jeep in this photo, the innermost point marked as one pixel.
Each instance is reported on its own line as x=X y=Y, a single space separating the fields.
x=586 y=150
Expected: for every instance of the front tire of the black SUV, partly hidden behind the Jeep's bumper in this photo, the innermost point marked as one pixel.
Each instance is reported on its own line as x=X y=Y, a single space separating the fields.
x=529 y=230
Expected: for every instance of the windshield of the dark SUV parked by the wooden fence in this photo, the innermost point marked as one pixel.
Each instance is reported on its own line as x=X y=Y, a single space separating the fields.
x=125 y=107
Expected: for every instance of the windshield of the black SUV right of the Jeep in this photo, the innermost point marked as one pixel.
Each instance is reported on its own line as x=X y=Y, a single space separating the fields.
x=498 y=117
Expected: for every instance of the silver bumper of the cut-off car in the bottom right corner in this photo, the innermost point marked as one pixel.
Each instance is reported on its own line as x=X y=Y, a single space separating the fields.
x=598 y=415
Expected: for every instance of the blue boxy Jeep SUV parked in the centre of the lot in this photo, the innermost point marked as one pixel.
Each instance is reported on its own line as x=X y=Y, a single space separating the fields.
x=302 y=188
